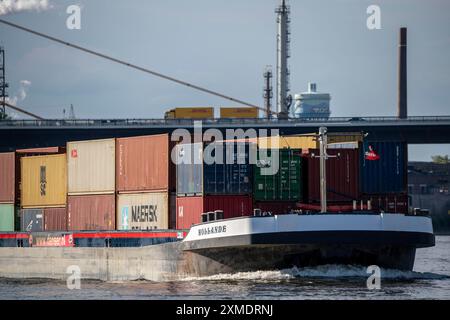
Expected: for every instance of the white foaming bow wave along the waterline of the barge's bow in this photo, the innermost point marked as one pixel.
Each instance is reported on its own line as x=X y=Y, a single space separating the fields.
x=325 y=272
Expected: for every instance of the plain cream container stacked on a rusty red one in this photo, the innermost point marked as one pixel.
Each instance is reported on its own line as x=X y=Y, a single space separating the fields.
x=91 y=167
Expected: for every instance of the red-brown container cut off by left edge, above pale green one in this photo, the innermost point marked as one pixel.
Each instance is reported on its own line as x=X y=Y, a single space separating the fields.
x=8 y=170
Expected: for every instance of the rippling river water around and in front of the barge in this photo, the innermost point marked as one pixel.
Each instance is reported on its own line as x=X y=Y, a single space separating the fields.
x=429 y=280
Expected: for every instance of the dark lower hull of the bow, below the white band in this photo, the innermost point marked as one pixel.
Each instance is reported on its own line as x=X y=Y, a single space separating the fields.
x=392 y=250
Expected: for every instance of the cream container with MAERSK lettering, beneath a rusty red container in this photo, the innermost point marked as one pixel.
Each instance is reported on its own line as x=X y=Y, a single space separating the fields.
x=143 y=211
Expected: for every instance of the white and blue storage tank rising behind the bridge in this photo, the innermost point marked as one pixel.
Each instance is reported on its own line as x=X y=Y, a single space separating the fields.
x=312 y=104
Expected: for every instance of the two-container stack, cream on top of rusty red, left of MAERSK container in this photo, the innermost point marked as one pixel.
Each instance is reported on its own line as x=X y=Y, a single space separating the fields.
x=91 y=185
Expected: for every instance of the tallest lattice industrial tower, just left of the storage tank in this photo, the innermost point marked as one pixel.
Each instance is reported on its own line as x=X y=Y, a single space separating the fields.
x=284 y=100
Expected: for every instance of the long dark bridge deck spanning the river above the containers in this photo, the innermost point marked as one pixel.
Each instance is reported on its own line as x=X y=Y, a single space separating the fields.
x=16 y=134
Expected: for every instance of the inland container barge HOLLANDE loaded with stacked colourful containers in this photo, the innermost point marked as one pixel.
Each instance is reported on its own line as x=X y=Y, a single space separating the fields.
x=131 y=208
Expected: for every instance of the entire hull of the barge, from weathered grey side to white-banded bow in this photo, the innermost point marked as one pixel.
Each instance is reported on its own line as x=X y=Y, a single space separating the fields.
x=237 y=245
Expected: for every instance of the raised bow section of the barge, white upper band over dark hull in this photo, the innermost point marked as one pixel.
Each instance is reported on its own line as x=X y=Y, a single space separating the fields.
x=388 y=241
